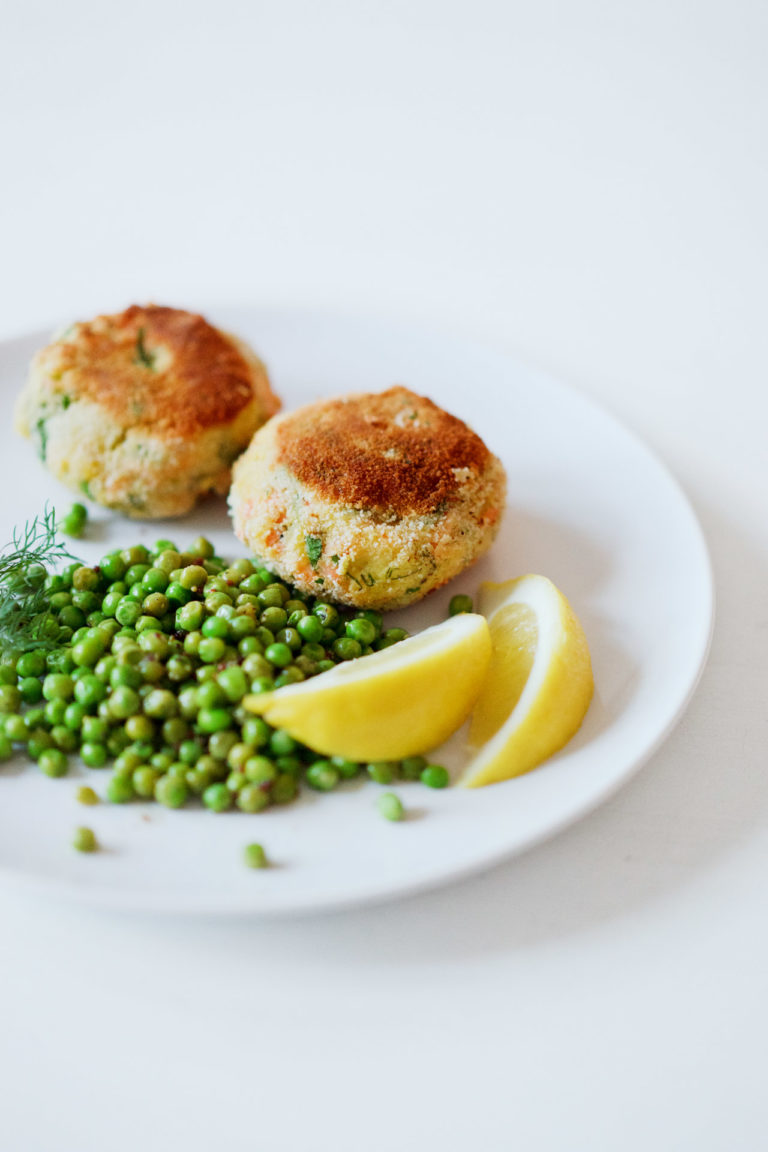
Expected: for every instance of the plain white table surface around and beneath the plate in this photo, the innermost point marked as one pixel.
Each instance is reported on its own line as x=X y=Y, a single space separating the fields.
x=583 y=185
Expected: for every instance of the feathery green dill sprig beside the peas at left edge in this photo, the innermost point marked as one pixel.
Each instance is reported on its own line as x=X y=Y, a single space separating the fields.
x=26 y=618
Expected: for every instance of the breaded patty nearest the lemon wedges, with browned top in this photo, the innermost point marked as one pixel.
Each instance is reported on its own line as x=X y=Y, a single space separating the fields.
x=372 y=501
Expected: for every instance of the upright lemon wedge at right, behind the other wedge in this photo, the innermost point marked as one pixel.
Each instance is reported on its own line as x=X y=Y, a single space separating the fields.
x=539 y=684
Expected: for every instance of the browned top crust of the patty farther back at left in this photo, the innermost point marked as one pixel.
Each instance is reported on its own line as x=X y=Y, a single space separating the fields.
x=200 y=380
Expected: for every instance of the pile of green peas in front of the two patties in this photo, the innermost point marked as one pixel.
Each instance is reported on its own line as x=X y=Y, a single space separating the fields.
x=157 y=650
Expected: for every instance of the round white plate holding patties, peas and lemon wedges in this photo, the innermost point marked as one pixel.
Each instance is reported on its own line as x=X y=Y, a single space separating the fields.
x=589 y=506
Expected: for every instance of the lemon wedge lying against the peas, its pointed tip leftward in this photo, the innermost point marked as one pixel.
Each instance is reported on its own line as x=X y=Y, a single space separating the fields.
x=400 y=702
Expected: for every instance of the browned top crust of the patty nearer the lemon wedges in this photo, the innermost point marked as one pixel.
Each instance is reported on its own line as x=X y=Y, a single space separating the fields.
x=393 y=452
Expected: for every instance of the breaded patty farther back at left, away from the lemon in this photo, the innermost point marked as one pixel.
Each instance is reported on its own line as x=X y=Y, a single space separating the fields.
x=145 y=412
